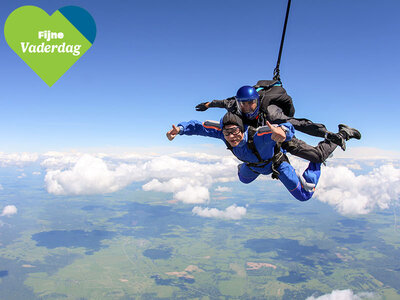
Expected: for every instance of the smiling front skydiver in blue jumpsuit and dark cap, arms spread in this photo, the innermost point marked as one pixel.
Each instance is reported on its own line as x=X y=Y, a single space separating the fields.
x=258 y=151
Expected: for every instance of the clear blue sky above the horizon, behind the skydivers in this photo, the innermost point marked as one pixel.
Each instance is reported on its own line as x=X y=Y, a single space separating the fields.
x=153 y=61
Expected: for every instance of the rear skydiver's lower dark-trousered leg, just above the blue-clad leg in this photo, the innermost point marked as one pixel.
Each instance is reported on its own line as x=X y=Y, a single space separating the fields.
x=317 y=154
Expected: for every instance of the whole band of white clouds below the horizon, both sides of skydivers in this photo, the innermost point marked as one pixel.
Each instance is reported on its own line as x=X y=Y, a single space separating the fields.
x=189 y=177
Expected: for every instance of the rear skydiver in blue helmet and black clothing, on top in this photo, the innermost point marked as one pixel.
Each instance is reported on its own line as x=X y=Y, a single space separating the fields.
x=272 y=103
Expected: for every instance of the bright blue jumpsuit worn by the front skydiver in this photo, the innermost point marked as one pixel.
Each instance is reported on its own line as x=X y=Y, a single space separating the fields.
x=265 y=147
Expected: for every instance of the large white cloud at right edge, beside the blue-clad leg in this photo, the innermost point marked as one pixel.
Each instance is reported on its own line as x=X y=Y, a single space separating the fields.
x=352 y=194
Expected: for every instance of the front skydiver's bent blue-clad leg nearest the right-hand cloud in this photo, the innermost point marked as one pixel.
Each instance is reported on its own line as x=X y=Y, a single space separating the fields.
x=291 y=181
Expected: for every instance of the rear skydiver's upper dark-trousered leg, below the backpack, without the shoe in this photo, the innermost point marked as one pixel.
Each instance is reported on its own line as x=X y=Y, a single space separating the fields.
x=276 y=115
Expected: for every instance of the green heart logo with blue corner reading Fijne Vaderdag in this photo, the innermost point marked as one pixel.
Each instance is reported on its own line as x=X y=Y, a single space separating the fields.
x=50 y=45
